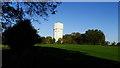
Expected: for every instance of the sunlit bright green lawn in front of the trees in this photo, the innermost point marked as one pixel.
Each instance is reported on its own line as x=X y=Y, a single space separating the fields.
x=105 y=52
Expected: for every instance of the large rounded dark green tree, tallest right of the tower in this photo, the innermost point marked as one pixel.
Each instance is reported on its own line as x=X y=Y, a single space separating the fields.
x=95 y=37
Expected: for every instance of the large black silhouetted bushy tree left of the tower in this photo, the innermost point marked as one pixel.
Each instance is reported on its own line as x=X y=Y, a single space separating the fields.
x=21 y=35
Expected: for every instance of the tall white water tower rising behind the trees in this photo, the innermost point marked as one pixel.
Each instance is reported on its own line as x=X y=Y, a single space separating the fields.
x=58 y=31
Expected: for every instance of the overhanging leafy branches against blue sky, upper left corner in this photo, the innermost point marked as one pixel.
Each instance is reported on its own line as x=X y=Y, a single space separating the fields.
x=16 y=11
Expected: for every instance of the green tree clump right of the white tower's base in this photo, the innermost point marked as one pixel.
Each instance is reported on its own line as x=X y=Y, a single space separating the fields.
x=91 y=37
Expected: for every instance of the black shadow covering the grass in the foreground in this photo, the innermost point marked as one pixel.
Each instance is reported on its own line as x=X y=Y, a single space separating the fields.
x=47 y=56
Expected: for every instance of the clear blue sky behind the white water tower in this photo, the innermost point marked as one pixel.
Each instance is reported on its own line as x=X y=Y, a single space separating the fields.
x=81 y=16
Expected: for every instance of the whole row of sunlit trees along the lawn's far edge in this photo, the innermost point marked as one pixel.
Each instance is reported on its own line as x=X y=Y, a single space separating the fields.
x=91 y=37
